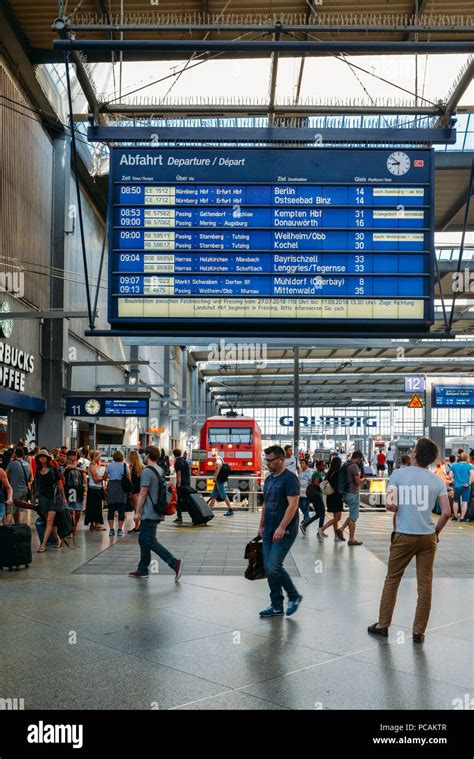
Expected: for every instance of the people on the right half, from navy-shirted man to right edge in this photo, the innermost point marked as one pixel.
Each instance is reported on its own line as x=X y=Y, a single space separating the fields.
x=416 y=489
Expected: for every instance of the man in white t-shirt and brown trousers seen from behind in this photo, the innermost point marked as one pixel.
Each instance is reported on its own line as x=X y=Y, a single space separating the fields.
x=412 y=494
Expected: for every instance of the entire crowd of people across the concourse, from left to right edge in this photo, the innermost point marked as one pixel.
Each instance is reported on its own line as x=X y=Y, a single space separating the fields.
x=81 y=483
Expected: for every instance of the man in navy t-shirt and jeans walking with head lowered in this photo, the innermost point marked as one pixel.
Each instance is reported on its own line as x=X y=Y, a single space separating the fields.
x=279 y=528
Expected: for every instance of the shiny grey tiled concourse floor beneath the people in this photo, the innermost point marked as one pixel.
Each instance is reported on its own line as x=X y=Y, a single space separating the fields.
x=77 y=633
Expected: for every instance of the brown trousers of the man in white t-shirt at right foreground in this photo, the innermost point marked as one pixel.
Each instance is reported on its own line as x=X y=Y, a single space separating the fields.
x=404 y=547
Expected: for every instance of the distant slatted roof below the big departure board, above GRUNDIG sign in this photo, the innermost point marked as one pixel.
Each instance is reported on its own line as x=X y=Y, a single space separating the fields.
x=341 y=372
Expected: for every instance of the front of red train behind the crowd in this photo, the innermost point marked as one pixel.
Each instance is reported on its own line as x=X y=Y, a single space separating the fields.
x=238 y=440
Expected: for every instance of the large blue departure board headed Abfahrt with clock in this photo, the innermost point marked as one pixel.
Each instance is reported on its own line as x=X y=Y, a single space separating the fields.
x=271 y=240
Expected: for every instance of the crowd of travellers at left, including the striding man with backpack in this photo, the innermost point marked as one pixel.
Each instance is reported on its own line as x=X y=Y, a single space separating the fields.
x=79 y=482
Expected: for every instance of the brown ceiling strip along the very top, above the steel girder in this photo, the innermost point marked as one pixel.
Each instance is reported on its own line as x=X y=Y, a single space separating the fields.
x=36 y=17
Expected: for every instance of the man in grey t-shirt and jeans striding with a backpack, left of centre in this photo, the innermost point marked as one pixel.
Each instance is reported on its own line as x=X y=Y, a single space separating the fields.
x=151 y=505
